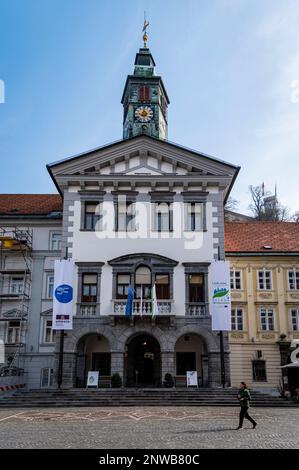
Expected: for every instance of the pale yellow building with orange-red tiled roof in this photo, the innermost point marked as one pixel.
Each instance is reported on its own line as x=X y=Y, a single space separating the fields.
x=264 y=260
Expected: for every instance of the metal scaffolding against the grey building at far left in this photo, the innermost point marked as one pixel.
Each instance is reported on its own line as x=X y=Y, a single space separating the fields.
x=15 y=287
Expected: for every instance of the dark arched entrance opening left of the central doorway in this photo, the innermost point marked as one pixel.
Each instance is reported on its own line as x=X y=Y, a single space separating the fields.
x=93 y=353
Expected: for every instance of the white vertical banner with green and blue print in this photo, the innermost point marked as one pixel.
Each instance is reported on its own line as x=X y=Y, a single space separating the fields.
x=220 y=299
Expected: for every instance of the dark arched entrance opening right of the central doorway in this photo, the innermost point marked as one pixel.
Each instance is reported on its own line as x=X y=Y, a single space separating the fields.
x=191 y=355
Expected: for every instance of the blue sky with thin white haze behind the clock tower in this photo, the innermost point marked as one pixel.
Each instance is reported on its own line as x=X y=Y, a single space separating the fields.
x=230 y=67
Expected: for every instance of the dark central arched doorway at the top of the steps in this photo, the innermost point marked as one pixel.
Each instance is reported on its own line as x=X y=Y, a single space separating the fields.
x=143 y=361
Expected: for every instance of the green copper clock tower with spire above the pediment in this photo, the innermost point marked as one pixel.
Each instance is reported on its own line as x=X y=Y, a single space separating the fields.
x=144 y=99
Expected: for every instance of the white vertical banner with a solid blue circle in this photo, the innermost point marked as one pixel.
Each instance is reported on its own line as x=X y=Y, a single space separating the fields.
x=63 y=294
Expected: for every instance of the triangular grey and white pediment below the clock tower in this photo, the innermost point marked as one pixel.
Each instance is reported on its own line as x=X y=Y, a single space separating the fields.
x=142 y=155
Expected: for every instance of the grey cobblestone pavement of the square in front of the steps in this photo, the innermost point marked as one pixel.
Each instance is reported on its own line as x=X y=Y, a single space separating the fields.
x=150 y=428
